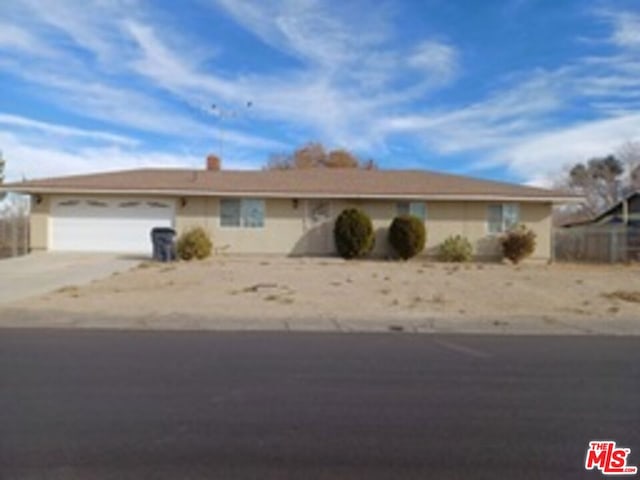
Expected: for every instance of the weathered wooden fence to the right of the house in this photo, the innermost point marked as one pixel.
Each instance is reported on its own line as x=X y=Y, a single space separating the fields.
x=599 y=244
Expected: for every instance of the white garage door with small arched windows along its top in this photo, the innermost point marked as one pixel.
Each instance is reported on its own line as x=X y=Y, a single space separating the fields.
x=107 y=224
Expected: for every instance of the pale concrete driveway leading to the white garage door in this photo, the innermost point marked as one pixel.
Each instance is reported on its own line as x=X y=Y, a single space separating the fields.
x=39 y=273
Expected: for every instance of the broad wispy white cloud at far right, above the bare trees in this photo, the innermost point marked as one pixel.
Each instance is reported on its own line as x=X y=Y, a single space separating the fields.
x=517 y=127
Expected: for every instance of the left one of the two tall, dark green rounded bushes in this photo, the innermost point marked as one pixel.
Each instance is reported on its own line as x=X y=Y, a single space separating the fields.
x=353 y=234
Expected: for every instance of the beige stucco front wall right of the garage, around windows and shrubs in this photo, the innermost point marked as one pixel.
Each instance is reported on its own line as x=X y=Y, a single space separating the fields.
x=288 y=230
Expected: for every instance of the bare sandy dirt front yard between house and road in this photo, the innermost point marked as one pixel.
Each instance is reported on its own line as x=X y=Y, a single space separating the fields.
x=331 y=294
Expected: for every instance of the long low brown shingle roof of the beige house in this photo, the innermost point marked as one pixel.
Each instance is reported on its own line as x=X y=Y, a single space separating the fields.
x=307 y=183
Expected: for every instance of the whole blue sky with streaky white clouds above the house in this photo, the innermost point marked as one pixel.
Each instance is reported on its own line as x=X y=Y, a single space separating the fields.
x=512 y=90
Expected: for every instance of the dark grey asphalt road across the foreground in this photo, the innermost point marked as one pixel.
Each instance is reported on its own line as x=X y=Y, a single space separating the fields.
x=159 y=405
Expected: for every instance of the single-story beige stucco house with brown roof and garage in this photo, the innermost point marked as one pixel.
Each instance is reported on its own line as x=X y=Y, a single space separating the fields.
x=287 y=212
